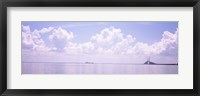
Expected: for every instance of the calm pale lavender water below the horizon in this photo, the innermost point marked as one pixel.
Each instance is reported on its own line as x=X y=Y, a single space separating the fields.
x=78 y=68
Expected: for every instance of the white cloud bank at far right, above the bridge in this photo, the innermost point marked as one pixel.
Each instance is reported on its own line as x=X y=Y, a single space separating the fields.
x=168 y=41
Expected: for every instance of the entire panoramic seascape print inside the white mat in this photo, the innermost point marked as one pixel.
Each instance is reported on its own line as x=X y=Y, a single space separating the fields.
x=109 y=47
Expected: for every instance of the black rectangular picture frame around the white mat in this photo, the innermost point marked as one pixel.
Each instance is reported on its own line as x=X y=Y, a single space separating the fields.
x=101 y=3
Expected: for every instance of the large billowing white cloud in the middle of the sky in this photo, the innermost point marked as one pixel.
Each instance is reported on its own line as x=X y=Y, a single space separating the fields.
x=108 y=41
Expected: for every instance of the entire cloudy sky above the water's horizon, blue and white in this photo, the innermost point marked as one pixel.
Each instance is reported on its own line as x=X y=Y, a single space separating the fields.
x=100 y=42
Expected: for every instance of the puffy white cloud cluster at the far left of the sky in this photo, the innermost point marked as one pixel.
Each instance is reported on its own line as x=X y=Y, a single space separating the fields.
x=34 y=40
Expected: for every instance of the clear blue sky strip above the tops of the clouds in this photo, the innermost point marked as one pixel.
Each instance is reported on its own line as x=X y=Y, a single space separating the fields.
x=144 y=31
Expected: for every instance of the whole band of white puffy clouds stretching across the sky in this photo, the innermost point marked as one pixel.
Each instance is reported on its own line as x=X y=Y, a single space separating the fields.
x=108 y=42
